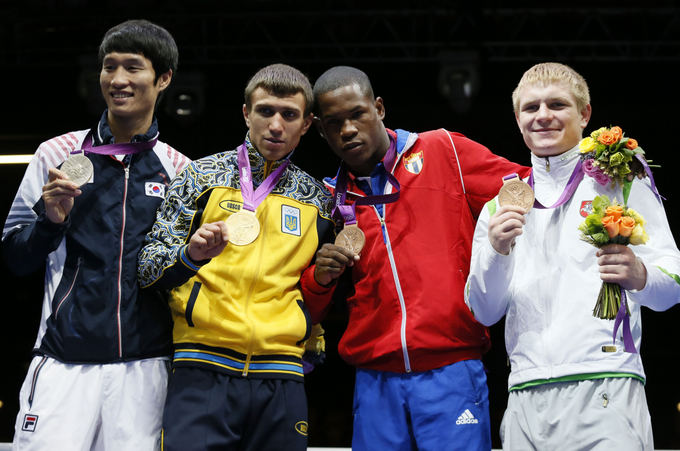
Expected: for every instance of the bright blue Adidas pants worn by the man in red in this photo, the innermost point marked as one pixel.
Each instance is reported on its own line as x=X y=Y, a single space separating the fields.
x=442 y=409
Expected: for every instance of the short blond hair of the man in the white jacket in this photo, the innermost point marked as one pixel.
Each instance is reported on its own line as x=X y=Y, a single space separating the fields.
x=551 y=73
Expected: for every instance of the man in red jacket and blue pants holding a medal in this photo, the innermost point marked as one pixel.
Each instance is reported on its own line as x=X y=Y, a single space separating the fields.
x=413 y=199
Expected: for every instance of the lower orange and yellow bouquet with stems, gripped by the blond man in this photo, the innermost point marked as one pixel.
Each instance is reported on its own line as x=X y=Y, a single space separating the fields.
x=611 y=223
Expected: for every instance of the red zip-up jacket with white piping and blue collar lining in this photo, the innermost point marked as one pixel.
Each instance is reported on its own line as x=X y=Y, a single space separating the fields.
x=406 y=310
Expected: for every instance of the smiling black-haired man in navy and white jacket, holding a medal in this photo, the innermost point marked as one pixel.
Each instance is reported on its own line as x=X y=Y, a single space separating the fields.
x=99 y=373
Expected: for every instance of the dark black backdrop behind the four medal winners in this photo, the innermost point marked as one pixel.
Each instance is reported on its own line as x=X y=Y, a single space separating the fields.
x=414 y=52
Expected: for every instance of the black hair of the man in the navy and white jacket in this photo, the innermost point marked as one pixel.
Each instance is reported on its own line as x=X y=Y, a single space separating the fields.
x=145 y=38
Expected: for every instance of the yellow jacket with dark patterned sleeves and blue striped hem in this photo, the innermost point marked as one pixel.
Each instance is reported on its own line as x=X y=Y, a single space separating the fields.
x=241 y=312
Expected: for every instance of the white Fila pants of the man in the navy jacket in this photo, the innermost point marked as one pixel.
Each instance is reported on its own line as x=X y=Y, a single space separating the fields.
x=115 y=406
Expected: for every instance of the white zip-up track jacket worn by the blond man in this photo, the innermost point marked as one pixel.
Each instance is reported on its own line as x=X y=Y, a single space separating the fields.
x=548 y=285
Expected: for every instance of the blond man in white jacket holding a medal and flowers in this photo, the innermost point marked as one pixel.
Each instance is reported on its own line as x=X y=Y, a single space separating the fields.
x=569 y=387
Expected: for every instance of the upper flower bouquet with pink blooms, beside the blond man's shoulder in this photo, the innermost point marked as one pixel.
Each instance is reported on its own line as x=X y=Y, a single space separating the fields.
x=609 y=156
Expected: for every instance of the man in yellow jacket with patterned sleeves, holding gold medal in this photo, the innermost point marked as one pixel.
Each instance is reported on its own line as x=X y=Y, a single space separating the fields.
x=232 y=239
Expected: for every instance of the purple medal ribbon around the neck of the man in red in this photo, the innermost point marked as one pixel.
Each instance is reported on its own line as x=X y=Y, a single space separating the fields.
x=348 y=212
